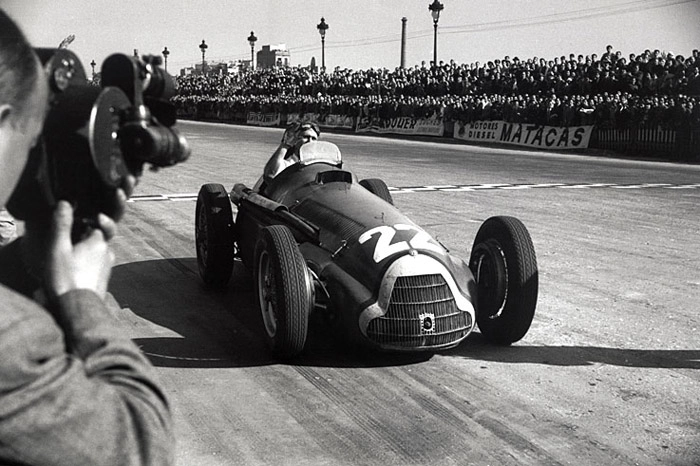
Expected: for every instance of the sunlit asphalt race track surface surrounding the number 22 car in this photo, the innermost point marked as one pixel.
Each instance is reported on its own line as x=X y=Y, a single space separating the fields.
x=608 y=374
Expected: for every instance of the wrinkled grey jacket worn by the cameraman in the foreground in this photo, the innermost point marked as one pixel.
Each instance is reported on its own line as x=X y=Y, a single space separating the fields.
x=74 y=389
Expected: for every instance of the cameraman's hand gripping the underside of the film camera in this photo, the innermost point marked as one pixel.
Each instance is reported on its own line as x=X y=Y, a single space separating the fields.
x=85 y=265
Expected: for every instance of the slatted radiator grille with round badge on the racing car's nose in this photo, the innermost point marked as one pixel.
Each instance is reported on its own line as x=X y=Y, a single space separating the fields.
x=422 y=314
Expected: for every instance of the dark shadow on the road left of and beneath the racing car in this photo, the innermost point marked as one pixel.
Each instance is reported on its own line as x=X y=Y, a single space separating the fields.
x=202 y=328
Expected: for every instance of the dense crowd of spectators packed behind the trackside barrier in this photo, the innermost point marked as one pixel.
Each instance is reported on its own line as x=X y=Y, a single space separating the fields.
x=653 y=88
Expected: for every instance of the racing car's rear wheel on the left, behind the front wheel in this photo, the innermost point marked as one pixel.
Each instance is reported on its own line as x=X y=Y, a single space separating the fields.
x=214 y=235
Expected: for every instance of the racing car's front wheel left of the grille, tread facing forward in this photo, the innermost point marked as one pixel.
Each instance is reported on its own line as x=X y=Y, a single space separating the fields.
x=284 y=291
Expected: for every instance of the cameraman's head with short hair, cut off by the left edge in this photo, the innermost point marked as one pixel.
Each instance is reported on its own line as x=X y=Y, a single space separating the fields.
x=23 y=103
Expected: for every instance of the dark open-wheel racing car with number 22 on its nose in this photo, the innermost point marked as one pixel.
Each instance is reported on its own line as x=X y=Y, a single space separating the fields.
x=318 y=240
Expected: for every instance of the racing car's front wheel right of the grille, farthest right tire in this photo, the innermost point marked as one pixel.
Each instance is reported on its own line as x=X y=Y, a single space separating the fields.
x=505 y=268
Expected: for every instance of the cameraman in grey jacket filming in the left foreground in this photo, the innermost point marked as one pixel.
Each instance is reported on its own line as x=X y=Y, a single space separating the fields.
x=73 y=389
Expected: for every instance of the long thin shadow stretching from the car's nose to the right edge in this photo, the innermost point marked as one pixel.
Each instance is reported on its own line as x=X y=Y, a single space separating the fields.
x=476 y=347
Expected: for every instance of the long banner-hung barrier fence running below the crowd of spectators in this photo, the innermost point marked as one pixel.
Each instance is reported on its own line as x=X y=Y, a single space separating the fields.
x=670 y=144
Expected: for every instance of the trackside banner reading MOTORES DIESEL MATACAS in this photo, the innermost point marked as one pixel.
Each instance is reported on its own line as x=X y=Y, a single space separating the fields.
x=521 y=134
